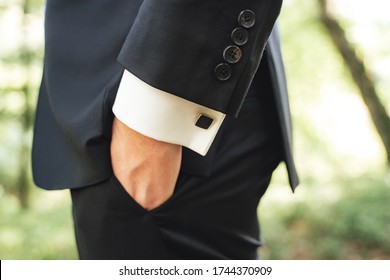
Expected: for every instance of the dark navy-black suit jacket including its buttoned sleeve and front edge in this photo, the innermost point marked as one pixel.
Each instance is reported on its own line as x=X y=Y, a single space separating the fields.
x=173 y=45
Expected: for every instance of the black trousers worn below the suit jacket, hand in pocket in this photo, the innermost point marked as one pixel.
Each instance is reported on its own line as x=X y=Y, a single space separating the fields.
x=209 y=216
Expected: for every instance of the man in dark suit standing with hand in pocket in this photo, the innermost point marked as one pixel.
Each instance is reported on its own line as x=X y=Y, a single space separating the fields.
x=178 y=169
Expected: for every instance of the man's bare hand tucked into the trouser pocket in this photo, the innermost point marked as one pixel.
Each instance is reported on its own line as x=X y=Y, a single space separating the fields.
x=146 y=168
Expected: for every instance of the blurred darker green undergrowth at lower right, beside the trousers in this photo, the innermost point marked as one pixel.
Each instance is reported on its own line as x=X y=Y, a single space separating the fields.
x=353 y=225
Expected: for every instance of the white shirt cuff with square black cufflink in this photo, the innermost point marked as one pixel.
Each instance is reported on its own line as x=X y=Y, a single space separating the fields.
x=163 y=116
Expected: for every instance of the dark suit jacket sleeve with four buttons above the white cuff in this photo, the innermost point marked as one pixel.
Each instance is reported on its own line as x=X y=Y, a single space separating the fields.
x=203 y=51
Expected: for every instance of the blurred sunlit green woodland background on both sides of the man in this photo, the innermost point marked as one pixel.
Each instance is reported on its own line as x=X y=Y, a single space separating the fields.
x=341 y=209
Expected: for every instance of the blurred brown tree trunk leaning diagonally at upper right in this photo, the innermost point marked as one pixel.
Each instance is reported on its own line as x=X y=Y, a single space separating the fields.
x=360 y=75
